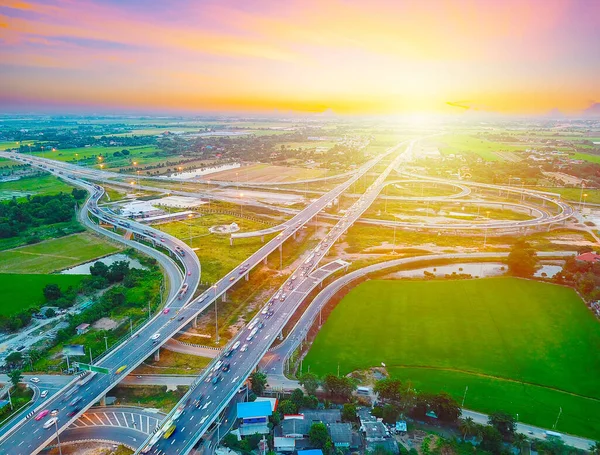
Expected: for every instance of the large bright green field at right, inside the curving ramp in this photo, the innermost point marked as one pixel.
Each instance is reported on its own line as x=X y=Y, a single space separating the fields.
x=520 y=346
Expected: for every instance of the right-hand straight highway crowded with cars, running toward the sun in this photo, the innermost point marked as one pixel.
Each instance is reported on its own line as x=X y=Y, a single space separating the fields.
x=217 y=387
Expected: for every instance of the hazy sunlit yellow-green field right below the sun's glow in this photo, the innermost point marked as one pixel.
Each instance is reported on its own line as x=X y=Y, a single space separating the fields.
x=464 y=143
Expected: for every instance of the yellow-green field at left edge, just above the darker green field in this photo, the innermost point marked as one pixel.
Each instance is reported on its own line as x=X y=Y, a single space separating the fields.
x=56 y=254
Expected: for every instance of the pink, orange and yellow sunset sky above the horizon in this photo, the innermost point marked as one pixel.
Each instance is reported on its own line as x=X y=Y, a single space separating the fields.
x=349 y=57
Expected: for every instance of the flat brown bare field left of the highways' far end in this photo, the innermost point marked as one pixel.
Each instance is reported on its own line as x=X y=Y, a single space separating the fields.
x=264 y=173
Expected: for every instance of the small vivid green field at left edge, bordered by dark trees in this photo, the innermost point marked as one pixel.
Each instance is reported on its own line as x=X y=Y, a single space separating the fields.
x=24 y=291
